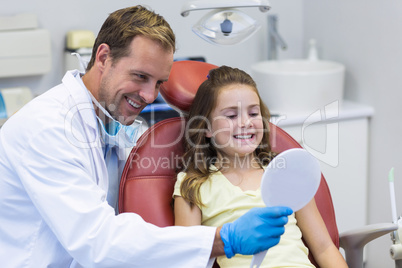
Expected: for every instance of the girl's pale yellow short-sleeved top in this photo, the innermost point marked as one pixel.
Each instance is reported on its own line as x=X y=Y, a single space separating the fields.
x=225 y=202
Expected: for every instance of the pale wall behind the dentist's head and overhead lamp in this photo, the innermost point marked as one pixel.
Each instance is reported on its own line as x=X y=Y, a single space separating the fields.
x=61 y=16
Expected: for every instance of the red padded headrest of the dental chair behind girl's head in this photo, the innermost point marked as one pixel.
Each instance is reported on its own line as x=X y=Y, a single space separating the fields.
x=184 y=80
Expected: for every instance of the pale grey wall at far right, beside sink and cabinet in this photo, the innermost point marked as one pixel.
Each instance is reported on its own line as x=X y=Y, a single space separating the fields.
x=365 y=36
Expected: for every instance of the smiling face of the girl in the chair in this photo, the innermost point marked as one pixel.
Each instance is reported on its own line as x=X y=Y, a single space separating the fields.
x=236 y=126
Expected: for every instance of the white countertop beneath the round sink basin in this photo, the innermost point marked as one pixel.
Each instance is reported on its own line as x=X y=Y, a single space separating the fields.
x=344 y=110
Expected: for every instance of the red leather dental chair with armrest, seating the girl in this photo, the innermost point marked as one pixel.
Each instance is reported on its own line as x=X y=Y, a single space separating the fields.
x=149 y=176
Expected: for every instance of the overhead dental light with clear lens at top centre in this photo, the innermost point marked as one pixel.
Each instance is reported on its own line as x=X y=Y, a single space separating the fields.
x=225 y=25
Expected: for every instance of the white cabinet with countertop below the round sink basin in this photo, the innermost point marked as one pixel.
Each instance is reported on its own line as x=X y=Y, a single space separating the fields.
x=338 y=137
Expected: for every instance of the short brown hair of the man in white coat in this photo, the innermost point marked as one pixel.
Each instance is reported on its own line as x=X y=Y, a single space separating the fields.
x=123 y=25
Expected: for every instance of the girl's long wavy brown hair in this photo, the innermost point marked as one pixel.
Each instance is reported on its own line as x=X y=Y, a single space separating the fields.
x=200 y=152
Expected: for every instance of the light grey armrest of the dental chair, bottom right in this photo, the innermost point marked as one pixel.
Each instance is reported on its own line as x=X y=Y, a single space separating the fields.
x=354 y=241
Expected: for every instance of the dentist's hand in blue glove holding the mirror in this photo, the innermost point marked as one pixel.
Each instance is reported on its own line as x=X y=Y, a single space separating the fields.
x=256 y=231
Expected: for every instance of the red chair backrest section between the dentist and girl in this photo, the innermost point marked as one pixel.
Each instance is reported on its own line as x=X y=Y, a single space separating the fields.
x=147 y=182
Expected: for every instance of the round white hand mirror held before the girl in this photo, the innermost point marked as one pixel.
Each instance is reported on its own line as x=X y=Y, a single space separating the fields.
x=291 y=179
